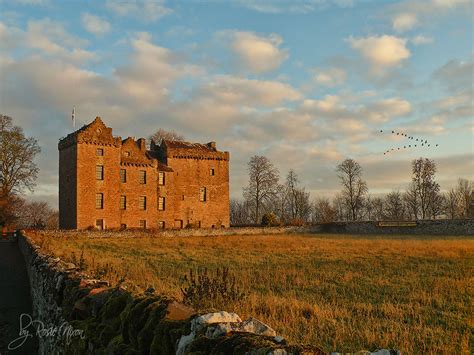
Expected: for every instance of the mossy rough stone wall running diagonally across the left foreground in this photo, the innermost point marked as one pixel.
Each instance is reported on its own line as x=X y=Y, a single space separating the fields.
x=85 y=316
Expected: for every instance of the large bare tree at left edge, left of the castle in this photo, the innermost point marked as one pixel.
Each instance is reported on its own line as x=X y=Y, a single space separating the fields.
x=17 y=152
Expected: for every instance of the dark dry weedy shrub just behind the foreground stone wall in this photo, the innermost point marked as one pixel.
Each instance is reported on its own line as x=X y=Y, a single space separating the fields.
x=206 y=290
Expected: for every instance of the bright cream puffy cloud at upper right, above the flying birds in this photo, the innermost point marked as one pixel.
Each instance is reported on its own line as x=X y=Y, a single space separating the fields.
x=381 y=51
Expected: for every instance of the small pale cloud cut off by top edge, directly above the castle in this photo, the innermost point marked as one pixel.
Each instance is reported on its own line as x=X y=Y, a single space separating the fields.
x=147 y=10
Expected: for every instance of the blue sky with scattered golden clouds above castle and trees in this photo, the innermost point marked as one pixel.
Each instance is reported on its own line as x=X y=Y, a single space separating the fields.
x=305 y=83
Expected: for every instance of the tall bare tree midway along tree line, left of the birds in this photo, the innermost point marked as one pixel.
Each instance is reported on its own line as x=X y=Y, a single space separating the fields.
x=354 y=188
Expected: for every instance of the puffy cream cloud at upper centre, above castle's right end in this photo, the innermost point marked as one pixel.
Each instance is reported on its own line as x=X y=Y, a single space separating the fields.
x=257 y=54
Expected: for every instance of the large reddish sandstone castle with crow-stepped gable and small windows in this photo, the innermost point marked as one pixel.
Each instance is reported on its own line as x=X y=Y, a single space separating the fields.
x=107 y=182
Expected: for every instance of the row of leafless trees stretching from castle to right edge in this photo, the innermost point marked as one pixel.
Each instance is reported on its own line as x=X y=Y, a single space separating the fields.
x=266 y=200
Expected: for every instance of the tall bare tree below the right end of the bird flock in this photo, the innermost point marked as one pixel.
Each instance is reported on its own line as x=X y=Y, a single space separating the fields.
x=426 y=187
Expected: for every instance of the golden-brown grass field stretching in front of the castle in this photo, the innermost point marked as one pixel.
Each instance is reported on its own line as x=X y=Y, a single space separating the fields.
x=341 y=293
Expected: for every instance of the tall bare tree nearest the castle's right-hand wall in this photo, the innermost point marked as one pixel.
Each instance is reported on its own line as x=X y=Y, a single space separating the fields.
x=263 y=185
